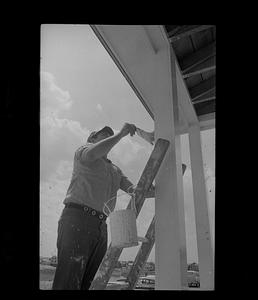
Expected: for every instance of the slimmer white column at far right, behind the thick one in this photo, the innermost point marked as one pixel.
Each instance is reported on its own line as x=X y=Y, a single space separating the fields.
x=204 y=243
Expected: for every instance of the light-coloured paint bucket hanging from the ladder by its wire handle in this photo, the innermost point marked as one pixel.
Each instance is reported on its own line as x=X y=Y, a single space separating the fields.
x=123 y=227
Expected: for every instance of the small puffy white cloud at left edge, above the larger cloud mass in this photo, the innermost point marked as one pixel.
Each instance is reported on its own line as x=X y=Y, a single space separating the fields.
x=53 y=99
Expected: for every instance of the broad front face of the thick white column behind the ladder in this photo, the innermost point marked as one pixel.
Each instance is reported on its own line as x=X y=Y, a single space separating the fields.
x=167 y=225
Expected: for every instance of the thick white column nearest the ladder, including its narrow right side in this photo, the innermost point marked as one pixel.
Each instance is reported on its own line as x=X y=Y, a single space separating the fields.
x=170 y=244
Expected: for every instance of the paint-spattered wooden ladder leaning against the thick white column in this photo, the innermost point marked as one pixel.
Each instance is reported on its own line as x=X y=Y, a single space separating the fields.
x=112 y=255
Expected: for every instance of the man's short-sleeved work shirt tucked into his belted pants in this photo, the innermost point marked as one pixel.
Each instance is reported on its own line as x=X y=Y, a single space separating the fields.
x=94 y=183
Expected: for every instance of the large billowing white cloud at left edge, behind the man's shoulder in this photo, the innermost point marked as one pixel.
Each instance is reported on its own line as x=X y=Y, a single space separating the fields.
x=59 y=137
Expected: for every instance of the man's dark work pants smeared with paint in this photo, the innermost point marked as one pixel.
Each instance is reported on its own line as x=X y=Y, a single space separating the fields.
x=81 y=246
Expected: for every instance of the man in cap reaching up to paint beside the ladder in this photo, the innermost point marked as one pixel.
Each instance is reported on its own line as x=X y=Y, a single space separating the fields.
x=82 y=230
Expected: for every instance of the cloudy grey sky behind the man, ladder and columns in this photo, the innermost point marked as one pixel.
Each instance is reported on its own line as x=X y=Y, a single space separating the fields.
x=81 y=90
